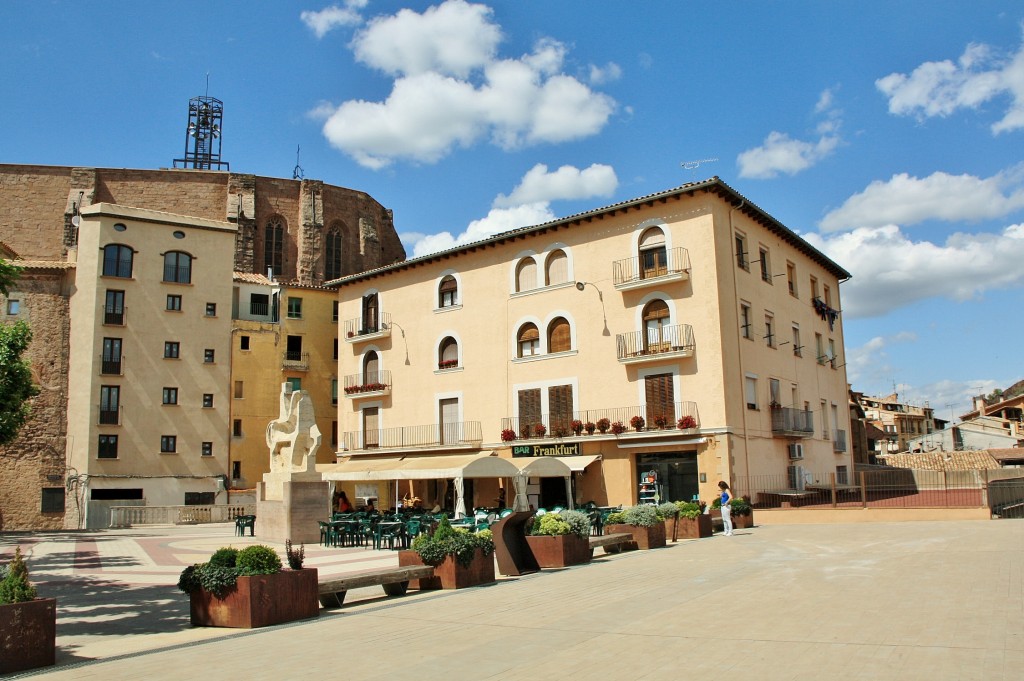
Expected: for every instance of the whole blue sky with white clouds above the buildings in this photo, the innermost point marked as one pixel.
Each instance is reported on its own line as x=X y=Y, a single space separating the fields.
x=888 y=135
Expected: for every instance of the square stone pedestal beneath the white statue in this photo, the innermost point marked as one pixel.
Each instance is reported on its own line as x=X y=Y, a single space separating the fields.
x=296 y=516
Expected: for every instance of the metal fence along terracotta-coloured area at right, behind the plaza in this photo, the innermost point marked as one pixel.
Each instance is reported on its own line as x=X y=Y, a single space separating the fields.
x=888 y=488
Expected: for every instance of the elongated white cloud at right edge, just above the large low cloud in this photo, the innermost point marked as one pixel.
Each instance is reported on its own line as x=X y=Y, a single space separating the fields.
x=906 y=200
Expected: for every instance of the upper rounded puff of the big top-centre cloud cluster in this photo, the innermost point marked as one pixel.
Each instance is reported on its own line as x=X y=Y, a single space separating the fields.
x=454 y=39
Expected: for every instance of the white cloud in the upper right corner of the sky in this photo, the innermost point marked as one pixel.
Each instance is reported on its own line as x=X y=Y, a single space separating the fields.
x=941 y=89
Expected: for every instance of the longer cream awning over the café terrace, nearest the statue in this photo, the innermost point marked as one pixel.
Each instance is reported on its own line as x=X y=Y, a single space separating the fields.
x=419 y=467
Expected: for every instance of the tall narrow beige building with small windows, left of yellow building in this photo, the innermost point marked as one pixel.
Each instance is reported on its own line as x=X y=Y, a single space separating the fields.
x=148 y=399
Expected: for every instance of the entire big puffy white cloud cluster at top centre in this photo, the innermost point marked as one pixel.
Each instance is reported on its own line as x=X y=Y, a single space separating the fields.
x=451 y=91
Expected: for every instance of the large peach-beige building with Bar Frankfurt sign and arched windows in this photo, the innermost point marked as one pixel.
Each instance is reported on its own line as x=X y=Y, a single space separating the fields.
x=703 y=336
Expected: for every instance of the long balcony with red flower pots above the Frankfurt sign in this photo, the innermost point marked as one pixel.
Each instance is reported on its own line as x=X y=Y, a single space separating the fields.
x=678 y=417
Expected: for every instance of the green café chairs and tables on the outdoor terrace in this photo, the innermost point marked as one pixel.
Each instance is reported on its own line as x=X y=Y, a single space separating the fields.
x=396 y=530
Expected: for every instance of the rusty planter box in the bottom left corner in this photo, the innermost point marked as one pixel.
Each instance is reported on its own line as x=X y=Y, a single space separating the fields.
x=28 y=635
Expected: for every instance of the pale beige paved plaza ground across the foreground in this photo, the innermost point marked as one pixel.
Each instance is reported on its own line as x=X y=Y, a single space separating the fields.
x=874 y=602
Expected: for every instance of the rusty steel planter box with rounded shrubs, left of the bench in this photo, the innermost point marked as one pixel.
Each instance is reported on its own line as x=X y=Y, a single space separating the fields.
x=260 y=601
